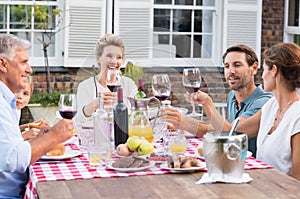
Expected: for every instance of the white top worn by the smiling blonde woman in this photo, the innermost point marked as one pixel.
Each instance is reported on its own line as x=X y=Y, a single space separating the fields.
x=87 y=92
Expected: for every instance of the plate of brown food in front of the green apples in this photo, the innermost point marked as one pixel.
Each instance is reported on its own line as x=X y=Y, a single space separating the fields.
x=130 y=164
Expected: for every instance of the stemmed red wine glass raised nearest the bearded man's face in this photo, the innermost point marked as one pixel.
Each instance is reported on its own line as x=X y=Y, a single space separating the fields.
x=191 y=81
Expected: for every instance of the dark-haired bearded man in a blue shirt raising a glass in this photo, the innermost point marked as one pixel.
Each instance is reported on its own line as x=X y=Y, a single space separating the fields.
x=245 y=99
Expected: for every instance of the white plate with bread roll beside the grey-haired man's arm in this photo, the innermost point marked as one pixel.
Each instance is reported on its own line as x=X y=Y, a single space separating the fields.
x=59 y=152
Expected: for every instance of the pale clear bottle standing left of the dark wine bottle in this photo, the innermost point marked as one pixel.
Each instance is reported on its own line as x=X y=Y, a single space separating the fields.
x=101 y=124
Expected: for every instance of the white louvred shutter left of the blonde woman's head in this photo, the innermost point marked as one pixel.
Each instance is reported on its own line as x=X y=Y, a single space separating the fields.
x=85 y=22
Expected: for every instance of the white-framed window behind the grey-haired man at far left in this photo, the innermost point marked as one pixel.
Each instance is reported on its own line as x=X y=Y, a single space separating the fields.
x=30 y=20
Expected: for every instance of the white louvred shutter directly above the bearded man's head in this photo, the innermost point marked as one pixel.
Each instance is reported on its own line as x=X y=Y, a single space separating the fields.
x=242 y=23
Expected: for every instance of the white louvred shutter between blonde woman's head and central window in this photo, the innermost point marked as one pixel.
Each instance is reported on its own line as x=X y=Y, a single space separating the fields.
x=133 y=22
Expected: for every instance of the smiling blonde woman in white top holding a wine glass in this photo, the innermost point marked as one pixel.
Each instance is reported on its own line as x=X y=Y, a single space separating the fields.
x=110 y=56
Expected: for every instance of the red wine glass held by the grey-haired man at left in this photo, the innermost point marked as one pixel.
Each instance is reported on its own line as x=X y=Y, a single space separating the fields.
x=67 y=105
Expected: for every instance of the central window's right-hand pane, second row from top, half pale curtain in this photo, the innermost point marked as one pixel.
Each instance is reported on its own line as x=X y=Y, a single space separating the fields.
x=203 y=21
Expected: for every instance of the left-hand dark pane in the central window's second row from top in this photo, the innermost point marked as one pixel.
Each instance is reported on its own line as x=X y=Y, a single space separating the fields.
x=161 y=20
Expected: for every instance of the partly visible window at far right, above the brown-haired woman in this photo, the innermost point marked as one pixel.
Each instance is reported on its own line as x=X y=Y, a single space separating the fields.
x=292 y=26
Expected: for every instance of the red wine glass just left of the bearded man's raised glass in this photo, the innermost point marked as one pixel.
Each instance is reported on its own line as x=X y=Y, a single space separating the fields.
x=161 y=86
